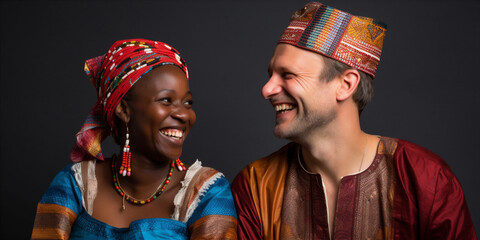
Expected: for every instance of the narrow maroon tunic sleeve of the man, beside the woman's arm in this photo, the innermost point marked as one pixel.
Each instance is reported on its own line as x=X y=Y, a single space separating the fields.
x=249 y=226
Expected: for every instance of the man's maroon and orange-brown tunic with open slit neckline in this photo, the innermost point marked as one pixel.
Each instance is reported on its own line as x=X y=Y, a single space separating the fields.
x=407 y=192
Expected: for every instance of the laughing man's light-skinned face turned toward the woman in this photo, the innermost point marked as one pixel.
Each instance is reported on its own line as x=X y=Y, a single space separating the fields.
x=302 y=100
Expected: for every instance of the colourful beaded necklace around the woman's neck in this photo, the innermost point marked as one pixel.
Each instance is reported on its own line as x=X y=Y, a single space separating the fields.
x=155 y=195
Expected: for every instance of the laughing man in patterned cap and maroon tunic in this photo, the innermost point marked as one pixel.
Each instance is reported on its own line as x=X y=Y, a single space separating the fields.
x=334 y=181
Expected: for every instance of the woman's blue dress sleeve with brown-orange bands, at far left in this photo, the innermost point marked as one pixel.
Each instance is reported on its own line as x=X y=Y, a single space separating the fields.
x=59 y=207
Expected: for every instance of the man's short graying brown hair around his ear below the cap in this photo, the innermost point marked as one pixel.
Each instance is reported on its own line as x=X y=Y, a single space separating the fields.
x=364 y=92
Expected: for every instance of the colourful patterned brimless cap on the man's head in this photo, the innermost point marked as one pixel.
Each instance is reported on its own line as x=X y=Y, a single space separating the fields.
x=354 y=40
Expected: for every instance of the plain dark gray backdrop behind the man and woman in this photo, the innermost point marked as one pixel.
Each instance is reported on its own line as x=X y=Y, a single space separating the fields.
x=426 y=87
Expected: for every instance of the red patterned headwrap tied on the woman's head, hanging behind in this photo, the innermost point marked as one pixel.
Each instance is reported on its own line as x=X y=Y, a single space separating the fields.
x=113 y=74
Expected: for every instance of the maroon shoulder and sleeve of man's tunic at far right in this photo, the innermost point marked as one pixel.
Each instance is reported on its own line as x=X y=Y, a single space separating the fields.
x=429 y=200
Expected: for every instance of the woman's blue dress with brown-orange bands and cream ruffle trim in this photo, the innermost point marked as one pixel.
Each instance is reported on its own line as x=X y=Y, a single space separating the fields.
x=61 y=213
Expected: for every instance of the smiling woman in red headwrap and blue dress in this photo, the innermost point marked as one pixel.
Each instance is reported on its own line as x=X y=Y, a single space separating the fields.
x=146 y=192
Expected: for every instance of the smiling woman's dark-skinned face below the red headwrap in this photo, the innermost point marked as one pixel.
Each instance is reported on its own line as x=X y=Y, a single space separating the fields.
x=161 y=113
